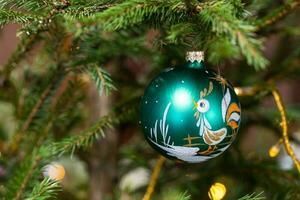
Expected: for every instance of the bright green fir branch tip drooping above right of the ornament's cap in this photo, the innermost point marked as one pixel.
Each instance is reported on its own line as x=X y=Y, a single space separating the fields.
x=221 y=17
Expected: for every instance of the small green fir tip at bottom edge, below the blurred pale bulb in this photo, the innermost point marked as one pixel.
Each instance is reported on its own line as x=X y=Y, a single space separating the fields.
x=44 y=190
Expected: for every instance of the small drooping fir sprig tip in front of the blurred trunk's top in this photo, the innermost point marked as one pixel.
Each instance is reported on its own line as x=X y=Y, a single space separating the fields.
x=102 y=79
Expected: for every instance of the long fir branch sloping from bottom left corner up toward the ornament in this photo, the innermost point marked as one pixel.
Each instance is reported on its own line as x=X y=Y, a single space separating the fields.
x=22 y=176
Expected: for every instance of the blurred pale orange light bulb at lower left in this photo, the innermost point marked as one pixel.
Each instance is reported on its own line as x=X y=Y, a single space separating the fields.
x=54 y=171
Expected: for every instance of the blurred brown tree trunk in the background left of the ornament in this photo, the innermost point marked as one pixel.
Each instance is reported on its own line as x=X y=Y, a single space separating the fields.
x=102 y=156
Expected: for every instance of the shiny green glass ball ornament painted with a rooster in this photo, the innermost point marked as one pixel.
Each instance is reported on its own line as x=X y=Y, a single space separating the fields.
x=190 y=113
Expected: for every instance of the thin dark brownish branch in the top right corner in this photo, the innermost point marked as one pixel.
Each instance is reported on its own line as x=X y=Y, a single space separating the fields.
x=277 y=14
